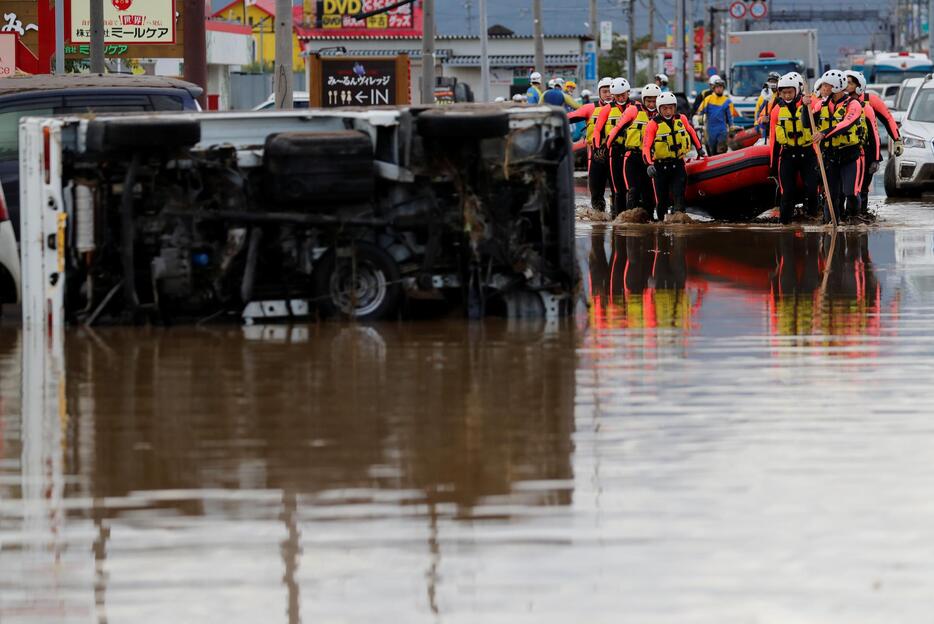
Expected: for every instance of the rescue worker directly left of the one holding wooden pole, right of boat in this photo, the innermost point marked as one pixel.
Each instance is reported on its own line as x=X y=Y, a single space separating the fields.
x=792 y=152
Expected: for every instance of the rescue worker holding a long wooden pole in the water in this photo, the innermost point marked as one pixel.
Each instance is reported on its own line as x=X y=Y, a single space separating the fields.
x=841 y=131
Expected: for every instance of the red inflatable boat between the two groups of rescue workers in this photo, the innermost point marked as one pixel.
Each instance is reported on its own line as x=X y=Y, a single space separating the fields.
x=734 y=184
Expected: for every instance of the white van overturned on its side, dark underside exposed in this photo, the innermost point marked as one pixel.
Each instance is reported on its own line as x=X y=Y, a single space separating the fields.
x=165 y=217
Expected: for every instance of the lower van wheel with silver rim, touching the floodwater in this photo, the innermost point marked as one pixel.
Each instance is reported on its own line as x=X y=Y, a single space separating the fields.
x=363 y=284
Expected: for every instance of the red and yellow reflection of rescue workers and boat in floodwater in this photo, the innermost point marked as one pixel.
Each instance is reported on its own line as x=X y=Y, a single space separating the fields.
x=810 y=283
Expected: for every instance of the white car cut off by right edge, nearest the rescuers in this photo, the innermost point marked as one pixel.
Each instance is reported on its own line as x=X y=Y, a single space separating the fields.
x=913 y=172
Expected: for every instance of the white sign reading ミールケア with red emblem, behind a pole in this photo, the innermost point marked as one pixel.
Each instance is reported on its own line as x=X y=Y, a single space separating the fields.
x=125 y=21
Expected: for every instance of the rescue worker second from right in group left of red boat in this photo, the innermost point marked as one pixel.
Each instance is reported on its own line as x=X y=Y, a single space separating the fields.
x=632 y=127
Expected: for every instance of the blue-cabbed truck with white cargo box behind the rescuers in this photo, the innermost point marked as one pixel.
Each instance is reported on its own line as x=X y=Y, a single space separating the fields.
x=752 y=55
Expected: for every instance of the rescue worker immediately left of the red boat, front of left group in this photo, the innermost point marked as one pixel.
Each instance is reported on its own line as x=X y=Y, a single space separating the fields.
x=668 y=139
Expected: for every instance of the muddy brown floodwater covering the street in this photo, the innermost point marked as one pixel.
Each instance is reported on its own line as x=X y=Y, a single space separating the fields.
x=737 y=429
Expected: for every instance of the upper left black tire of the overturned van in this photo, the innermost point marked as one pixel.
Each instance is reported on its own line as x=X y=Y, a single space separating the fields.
x=129 y=135
